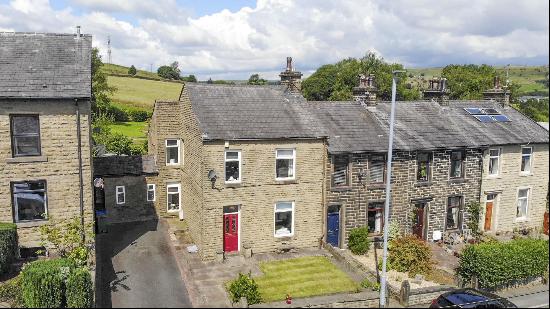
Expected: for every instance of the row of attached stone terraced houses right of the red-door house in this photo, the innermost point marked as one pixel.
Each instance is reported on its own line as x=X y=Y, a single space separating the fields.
x=446 y=154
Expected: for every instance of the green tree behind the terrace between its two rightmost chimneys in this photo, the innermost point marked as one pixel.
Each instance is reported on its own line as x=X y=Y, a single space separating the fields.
x=468 y=82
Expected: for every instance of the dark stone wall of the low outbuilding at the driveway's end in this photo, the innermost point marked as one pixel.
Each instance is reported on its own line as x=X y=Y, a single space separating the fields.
x=136 y=207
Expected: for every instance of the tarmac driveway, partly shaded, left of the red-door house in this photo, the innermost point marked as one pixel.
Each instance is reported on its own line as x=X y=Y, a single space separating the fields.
x=136 y=267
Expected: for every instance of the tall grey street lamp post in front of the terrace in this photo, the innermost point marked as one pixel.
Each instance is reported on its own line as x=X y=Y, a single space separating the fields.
x=383 y=284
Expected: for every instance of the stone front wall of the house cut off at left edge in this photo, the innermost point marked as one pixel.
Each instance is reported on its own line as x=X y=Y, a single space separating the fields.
x=58 y=165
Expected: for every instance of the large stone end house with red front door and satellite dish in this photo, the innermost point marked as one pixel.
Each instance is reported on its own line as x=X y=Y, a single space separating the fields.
x=243 y=165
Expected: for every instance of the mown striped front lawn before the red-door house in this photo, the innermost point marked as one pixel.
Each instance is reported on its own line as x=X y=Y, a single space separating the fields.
x=302 y=277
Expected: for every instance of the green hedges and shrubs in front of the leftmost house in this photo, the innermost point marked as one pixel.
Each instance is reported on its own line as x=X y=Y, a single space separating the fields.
x=61 y=282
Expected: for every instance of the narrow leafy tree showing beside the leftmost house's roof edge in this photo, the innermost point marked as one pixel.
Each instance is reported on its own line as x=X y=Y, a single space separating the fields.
x=100 y=89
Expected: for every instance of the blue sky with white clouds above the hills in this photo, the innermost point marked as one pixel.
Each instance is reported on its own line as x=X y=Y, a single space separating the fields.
x=232 y=39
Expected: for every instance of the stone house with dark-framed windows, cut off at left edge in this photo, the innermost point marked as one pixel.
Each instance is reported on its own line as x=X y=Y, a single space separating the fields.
x=45 y=154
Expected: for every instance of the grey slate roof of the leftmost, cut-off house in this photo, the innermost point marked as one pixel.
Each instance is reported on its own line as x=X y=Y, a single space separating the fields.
x=39 y=65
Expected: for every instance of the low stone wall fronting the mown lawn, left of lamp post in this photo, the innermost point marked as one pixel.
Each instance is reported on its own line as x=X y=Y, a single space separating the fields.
x=366 y=299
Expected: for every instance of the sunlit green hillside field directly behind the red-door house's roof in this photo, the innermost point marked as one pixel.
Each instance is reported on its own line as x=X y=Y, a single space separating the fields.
x=142 y=93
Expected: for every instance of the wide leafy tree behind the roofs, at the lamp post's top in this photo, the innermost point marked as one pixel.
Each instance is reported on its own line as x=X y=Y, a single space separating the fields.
x=335 y=82
